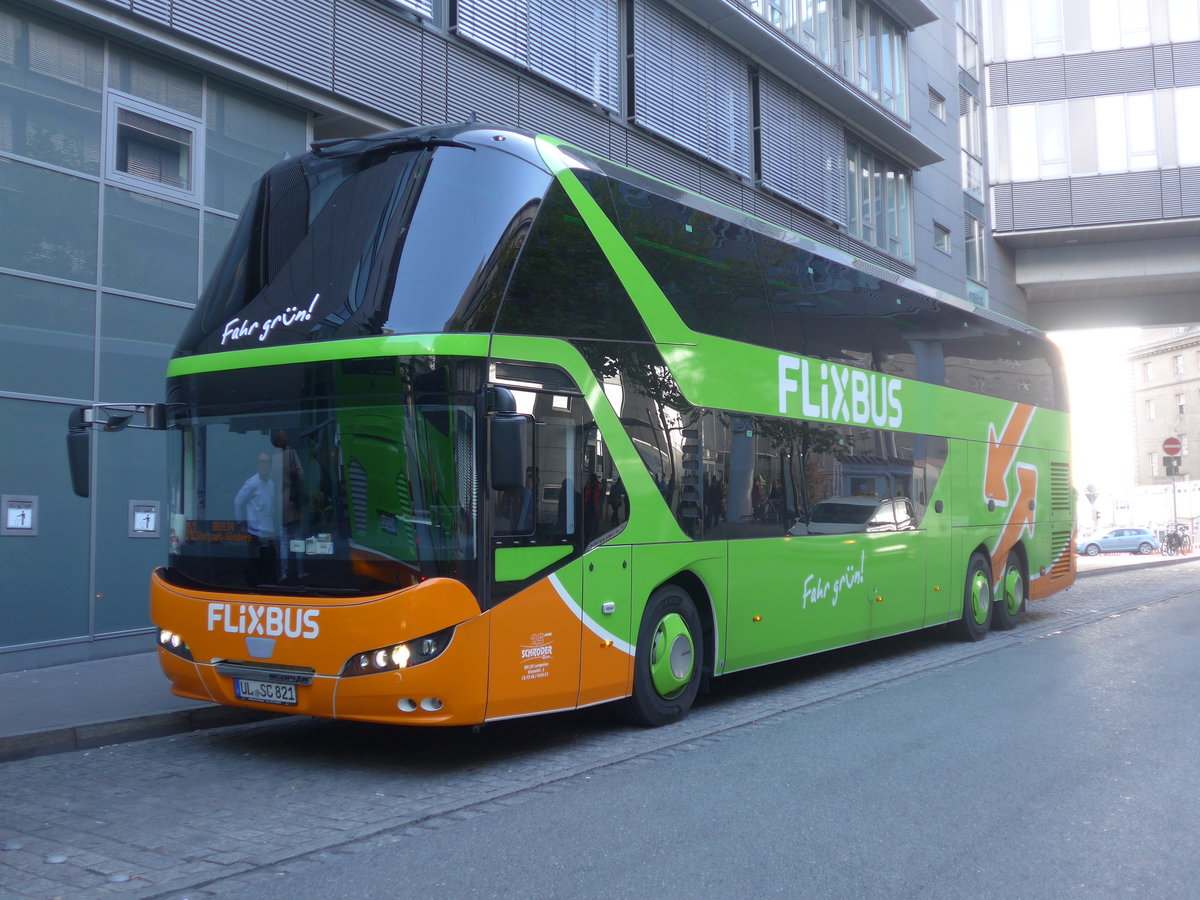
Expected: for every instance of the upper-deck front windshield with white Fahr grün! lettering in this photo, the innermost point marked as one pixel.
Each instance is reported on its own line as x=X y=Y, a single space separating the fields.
x=383 y=242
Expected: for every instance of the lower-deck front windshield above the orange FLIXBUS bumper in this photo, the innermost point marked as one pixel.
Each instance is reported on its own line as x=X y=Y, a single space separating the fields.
x=352 y=477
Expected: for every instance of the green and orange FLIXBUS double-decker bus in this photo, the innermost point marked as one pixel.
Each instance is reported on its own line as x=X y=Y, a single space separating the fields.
x=471 y=425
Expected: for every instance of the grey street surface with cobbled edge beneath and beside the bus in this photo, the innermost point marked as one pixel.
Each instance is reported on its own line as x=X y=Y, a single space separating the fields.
x=1058 y=760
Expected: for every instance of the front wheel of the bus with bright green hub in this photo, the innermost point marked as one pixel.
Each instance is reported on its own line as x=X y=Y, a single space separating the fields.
x=669 y=659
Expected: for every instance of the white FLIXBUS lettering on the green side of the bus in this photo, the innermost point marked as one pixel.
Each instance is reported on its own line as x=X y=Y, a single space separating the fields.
x=839 y=393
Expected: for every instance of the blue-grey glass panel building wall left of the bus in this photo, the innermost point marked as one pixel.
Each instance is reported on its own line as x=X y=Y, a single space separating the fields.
x=122 y=176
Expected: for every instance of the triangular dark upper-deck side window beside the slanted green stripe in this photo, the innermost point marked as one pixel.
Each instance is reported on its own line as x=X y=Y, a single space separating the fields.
x=563 y=285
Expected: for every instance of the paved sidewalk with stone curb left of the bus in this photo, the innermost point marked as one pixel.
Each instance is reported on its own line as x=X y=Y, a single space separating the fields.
x=98 y=703
